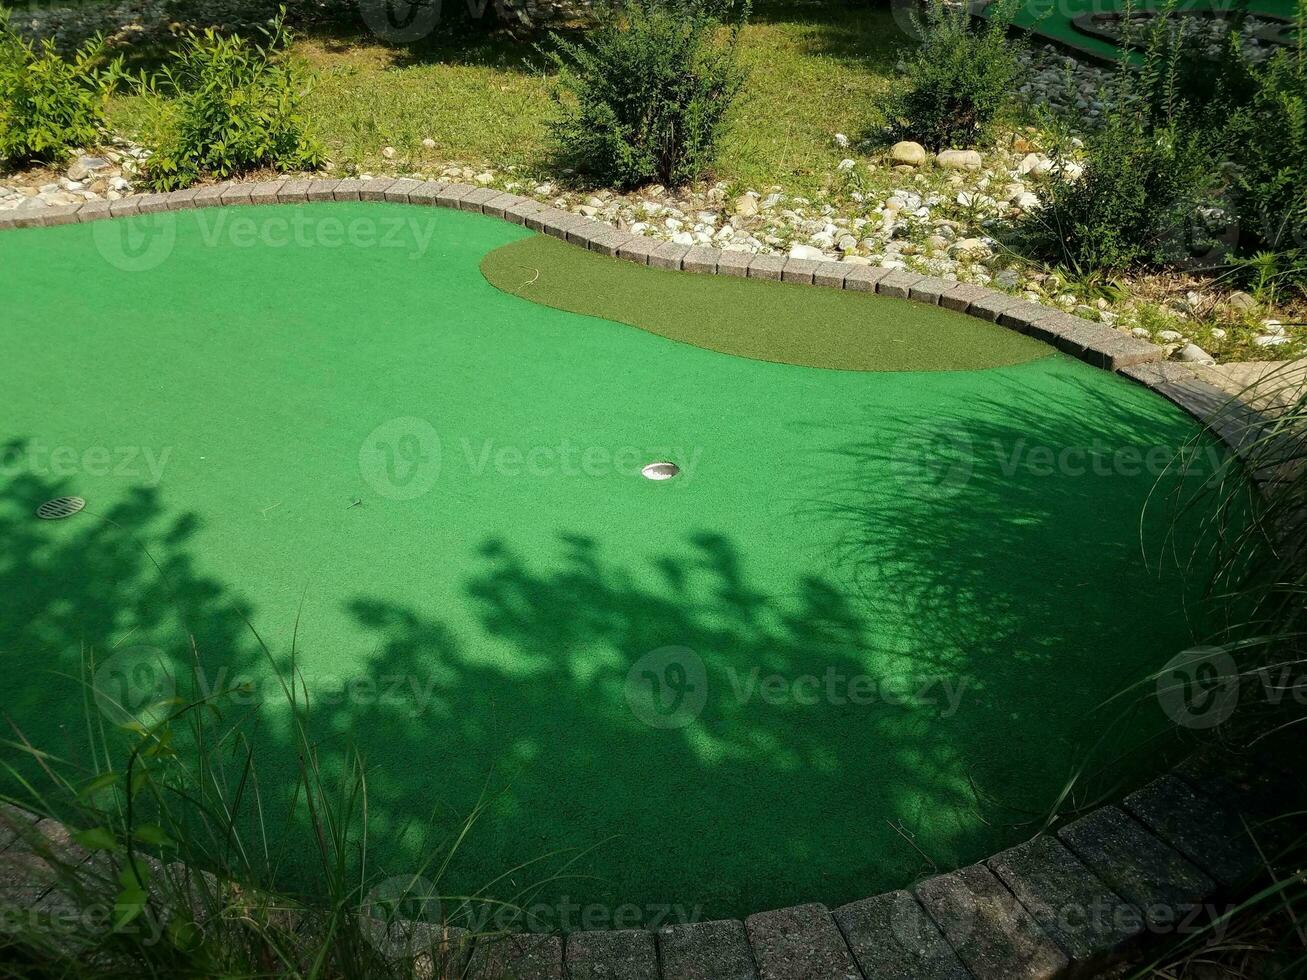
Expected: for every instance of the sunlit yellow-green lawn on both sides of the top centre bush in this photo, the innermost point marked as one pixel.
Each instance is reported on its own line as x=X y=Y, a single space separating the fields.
x=814 y=70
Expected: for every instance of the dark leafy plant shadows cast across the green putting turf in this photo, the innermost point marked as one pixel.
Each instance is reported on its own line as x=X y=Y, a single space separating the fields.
x=751 y=798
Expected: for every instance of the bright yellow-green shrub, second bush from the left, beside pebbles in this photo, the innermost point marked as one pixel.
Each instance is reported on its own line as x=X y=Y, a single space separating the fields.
x=227 y=108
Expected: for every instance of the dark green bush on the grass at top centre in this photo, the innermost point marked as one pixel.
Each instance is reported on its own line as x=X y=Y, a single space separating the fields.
x=646 y=96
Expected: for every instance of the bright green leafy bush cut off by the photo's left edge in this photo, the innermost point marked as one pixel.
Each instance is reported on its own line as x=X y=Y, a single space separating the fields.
x=49 y=105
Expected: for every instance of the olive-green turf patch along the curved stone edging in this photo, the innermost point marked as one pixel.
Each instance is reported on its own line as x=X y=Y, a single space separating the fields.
x=767 y=321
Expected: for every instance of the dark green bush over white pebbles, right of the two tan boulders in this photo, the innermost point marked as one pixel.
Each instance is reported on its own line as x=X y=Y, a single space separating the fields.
x=1136 y=202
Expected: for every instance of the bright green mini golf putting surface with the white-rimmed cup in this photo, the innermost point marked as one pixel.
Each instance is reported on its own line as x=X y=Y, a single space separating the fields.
x=863 y=636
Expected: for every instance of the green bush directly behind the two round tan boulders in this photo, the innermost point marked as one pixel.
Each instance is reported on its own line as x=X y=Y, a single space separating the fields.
x=960 y=80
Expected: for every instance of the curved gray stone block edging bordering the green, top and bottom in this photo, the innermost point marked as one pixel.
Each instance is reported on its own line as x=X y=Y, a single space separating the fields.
x=1063 y=904
